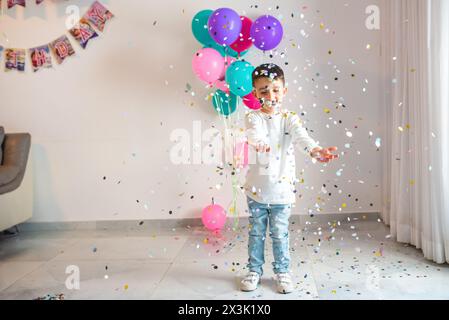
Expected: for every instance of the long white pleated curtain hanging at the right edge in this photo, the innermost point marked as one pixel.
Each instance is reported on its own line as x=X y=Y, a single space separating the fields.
x=416 y=111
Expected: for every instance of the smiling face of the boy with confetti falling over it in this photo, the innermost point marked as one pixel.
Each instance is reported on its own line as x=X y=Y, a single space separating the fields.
x=270 y=92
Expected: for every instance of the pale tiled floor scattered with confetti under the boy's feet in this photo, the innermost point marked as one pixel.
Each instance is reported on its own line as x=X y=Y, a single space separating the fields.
x=350 y=260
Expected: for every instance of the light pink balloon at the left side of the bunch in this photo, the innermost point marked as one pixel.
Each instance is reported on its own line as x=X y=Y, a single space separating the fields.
x=208 y=65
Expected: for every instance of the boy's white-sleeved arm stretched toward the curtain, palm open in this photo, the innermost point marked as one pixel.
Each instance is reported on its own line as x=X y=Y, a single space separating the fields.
x=306 y=144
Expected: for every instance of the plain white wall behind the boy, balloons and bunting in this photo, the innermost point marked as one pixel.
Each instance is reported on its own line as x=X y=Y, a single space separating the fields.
x=109 y=110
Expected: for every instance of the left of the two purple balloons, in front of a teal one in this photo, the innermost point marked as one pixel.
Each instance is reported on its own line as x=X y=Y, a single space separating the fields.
x=224 y=26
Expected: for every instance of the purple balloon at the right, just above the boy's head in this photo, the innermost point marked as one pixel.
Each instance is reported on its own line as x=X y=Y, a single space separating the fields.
x=266 y=32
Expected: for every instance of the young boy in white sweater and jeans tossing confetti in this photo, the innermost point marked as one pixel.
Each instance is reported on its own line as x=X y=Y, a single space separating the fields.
x=270 y=182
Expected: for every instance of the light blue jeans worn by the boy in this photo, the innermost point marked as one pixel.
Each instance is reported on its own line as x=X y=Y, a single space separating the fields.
x=277 y=216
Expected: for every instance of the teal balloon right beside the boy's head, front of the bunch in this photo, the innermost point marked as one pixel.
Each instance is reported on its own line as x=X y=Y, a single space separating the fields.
x=239 y=78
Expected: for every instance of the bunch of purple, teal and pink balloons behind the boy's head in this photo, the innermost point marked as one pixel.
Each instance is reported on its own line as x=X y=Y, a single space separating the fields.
x=226 y=37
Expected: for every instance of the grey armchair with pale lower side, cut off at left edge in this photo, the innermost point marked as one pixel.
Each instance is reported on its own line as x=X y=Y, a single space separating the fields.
x=15 y=201
